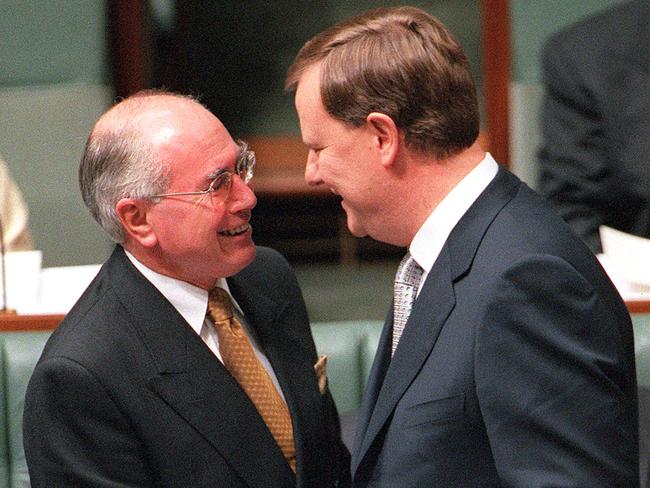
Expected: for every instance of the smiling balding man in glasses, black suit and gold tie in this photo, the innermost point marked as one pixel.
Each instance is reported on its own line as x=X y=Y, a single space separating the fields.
x=138 y=386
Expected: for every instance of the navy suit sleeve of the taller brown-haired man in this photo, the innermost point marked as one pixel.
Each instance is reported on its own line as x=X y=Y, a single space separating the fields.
x=555 y=381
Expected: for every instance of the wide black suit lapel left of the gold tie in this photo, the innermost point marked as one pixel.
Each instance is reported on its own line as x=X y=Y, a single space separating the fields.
x=196 y=385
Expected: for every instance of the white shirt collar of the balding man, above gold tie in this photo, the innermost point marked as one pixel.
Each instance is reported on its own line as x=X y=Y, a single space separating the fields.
x=190 y=301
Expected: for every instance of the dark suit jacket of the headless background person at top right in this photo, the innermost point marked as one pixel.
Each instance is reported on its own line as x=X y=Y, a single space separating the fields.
x=595 y=158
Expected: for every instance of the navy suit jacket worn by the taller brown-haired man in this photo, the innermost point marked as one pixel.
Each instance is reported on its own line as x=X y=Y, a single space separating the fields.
x=515 y=368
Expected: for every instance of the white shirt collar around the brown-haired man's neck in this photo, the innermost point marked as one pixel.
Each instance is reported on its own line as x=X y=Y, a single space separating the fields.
x=433 y=234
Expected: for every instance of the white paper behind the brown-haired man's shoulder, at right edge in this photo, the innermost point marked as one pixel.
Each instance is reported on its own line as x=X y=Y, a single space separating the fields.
x=626 y=258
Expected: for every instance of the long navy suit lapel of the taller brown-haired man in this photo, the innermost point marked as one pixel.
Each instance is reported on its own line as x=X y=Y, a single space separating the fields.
x=390 y=378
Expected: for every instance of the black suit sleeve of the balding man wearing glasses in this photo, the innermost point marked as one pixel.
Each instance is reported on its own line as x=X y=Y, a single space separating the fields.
x=74 y=435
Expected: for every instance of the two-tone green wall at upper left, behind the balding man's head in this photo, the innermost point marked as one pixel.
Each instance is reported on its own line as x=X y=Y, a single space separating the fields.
x=53 y=71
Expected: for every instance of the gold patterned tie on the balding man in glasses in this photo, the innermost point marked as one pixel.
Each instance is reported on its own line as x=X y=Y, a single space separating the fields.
x=239 y=358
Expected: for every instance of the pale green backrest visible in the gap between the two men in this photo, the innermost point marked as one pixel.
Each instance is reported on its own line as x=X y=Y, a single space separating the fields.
x=350 y=347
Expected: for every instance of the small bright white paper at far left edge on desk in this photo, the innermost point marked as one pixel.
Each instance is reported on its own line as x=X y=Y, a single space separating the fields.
x=22 y=277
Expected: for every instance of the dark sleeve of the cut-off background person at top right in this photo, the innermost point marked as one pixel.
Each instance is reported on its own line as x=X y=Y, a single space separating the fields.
x=573 y=155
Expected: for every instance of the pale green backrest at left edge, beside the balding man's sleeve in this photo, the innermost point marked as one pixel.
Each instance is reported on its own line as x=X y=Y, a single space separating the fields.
x=20 y=351
